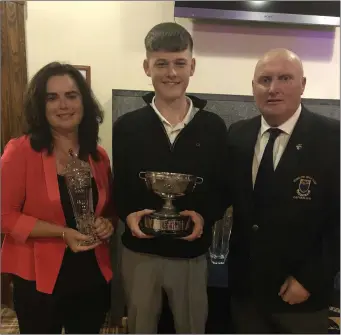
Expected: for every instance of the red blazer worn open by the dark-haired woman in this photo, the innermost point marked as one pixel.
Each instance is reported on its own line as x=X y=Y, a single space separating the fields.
x=29 y=191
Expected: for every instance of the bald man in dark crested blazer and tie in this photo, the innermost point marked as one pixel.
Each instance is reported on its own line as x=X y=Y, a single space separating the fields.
x=285 y=179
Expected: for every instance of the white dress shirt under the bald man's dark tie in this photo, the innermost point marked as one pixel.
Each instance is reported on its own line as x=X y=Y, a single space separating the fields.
x=279 y=145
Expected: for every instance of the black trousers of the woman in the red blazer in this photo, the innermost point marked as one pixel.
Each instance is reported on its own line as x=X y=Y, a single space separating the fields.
x=79 y=312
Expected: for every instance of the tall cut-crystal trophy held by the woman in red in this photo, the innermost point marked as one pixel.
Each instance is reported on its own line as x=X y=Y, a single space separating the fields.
x=77 y=174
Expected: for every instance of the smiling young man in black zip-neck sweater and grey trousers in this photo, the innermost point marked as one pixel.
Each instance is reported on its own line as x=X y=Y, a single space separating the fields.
x=172 y=133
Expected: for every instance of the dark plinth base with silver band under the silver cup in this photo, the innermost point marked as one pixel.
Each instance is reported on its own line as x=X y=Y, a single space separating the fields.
x=158 y=224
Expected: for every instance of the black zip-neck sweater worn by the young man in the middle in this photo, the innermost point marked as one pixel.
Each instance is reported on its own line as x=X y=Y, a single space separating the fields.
x=140 y=143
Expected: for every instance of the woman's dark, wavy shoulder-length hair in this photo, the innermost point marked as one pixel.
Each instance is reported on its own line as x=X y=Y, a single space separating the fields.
x=37 y=126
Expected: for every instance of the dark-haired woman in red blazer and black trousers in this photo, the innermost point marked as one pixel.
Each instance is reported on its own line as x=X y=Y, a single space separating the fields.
x=56 y=282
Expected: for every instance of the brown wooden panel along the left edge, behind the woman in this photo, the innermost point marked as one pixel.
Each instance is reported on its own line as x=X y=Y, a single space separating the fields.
x=13 y=85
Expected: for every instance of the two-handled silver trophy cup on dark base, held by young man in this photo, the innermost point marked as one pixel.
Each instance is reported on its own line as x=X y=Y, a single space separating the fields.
x=168 y=221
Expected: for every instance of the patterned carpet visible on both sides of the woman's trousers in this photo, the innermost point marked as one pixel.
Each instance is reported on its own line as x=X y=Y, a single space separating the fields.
x=9 y=324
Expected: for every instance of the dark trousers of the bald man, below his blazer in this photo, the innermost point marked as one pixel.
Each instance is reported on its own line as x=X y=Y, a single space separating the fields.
x=248 y=318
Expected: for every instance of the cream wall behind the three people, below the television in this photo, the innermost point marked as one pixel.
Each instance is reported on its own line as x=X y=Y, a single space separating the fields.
x=108 y=36
